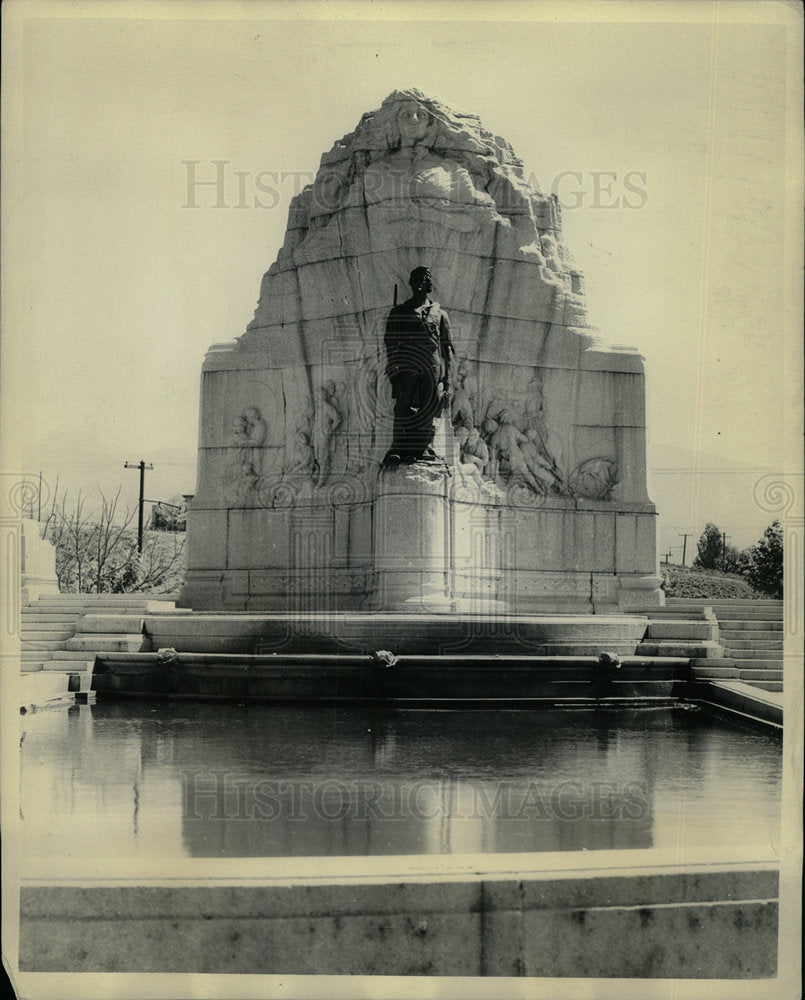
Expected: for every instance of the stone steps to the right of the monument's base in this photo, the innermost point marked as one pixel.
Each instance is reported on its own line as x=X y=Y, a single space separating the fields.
x=751 y=635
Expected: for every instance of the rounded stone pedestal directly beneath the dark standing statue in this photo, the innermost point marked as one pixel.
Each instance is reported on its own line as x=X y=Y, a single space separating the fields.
x=412 y=571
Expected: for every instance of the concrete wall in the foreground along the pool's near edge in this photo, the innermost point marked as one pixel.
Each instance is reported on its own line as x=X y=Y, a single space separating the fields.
x=413 y=916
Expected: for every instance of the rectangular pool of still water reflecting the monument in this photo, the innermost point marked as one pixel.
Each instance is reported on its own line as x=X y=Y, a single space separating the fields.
x=137 y=779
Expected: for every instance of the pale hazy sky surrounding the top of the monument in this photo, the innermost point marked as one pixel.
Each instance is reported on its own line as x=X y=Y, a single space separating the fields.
x=670 y=133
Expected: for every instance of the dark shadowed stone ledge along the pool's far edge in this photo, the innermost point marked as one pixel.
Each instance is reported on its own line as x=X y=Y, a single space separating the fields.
x=328 y=677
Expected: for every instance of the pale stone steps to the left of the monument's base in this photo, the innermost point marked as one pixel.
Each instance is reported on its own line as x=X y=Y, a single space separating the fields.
x=55 y=638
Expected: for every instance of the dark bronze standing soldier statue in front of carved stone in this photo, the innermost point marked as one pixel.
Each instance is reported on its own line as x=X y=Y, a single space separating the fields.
x=419 y=361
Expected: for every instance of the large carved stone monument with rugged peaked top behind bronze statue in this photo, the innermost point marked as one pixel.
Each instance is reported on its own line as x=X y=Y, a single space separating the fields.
x=535 y=500
